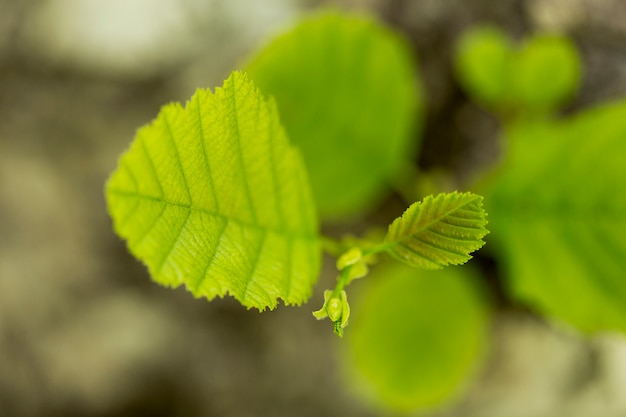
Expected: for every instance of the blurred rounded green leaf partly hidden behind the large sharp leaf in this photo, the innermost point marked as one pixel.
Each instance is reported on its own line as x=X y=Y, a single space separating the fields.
x=346 y=89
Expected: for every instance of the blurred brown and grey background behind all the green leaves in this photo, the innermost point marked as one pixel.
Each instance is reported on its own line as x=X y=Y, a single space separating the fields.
x=84 y=331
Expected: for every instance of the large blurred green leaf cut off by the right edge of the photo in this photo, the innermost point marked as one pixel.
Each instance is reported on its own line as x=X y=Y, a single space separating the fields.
x=558 y=217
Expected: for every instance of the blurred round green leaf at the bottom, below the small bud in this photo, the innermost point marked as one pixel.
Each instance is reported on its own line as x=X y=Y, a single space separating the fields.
x=416 y=337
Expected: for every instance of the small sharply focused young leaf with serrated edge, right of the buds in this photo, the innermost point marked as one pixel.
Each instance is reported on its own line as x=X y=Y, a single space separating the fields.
x=438 y=231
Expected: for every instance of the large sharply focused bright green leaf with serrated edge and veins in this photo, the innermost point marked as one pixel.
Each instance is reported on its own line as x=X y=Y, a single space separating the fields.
x=212 y=196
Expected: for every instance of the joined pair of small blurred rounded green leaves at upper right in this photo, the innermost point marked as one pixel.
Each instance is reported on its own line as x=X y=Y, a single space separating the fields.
x=535 y=77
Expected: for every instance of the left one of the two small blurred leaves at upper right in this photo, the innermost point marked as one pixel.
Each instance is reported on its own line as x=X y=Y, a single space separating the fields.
x=483 y=60
